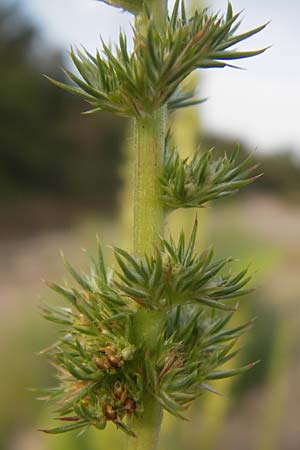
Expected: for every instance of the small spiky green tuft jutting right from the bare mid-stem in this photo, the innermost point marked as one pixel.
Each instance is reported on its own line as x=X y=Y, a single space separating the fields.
x=192 y=182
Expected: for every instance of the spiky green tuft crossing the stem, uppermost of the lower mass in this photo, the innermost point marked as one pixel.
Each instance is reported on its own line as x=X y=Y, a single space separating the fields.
x=177 y=276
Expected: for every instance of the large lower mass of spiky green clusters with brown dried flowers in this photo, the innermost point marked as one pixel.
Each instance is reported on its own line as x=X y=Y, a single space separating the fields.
x=103 y=366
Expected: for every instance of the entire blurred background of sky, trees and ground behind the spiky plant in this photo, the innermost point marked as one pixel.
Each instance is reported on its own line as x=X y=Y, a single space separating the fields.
x=63 y=179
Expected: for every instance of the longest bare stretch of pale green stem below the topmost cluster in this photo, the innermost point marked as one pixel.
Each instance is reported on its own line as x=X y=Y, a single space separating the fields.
x=149 y=137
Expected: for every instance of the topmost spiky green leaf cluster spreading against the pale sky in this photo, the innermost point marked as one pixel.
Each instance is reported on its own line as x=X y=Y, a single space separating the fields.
x=139 y=82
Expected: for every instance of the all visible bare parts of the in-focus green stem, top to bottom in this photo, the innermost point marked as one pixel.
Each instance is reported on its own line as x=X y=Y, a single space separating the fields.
x=149 y=142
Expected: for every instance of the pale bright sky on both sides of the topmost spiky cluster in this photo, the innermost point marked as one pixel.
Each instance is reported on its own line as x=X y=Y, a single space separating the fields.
x=259 y=105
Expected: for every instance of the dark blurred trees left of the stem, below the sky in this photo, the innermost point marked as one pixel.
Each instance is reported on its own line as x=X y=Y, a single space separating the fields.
x=47 y=150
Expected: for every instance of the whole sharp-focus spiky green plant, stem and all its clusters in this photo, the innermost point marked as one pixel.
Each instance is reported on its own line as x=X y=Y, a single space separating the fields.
x=147 y=335
